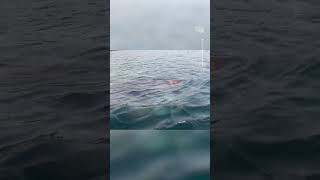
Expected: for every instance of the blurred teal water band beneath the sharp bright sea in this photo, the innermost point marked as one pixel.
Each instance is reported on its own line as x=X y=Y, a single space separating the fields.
x=160 y=155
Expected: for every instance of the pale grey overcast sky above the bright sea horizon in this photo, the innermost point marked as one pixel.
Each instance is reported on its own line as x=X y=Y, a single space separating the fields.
x=159 y=24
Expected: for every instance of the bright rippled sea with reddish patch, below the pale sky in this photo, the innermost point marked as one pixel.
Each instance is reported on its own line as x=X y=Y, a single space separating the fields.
x=160 y=89
